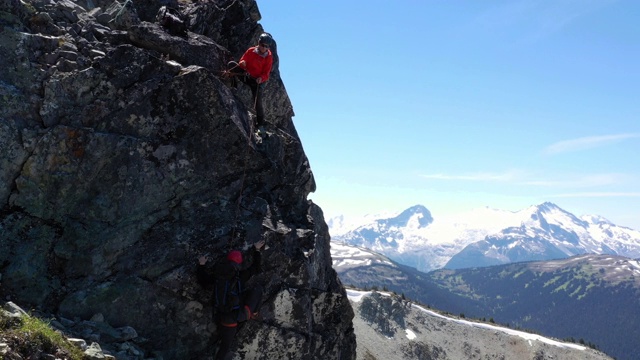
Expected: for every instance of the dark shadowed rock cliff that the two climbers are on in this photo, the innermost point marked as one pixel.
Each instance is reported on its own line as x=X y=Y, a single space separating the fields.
x=126 y=156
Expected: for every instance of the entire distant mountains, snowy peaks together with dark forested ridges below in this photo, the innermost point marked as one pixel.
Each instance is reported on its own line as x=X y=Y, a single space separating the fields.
x=541 y=268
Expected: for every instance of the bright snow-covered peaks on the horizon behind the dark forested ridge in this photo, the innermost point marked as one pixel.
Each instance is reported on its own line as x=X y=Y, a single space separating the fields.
x=488 y=237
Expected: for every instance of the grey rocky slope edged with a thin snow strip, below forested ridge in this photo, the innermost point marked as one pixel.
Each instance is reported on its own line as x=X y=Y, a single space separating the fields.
x=389 y=327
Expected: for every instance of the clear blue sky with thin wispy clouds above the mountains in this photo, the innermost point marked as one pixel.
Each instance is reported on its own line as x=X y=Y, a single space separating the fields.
x=462 y=104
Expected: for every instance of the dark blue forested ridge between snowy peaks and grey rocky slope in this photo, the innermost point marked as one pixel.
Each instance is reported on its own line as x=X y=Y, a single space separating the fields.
x=591 y=297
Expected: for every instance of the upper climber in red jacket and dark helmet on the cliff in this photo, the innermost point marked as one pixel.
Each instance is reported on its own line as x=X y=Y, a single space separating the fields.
x=253 y=69
